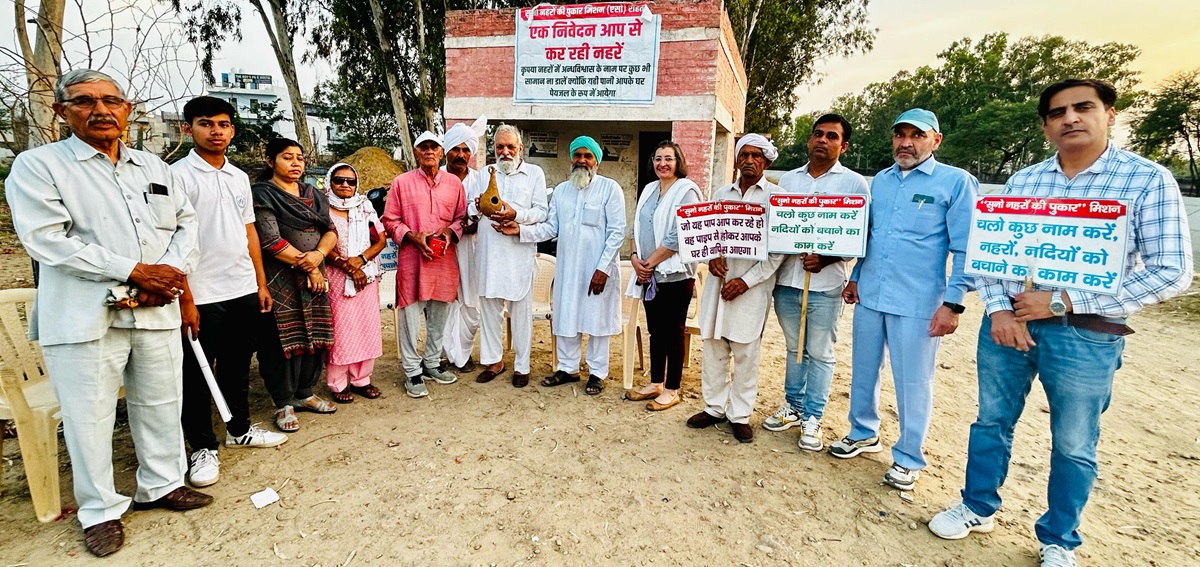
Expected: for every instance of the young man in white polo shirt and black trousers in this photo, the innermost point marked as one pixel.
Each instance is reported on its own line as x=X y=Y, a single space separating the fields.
x=226 y=294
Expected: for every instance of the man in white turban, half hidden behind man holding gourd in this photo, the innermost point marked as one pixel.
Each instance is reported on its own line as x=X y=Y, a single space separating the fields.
x=463 y=321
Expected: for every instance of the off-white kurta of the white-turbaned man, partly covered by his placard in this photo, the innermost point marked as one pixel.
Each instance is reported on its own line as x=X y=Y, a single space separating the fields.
x=743 y=319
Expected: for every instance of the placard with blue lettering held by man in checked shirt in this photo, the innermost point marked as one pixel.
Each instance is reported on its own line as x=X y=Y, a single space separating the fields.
x=1065 y=243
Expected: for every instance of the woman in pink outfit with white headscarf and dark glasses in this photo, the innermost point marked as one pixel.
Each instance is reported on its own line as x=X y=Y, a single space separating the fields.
x=353 y=288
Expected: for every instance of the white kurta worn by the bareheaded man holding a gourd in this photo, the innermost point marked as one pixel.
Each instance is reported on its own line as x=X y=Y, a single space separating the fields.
x=506 y=266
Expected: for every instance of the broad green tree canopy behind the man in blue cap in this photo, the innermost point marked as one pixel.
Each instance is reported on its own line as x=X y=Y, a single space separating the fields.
x=985 y=94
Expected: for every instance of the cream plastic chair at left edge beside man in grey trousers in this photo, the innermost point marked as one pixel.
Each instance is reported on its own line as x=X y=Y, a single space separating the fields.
x=28 y=399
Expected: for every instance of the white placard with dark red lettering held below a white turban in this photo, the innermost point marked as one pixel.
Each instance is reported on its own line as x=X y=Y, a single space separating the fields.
x=723 y=229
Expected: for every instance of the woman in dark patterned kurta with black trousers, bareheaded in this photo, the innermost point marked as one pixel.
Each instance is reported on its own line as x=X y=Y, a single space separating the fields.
x=297 y=235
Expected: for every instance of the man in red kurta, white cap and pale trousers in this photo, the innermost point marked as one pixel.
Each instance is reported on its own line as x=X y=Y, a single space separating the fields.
x=424 y=216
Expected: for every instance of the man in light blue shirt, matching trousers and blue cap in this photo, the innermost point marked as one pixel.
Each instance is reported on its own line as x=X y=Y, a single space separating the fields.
x=921 y=213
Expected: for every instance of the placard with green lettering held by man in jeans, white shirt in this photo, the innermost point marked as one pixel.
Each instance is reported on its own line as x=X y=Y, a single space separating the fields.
x=830 y=225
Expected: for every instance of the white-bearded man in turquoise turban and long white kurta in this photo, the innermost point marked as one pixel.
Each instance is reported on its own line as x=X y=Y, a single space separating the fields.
x=587 y=213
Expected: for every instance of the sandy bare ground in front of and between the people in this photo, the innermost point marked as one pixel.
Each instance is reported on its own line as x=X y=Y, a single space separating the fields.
x=490 y=475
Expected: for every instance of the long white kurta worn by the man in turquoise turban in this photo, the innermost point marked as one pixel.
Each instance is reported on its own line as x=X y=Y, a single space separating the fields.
x=591 y=229
